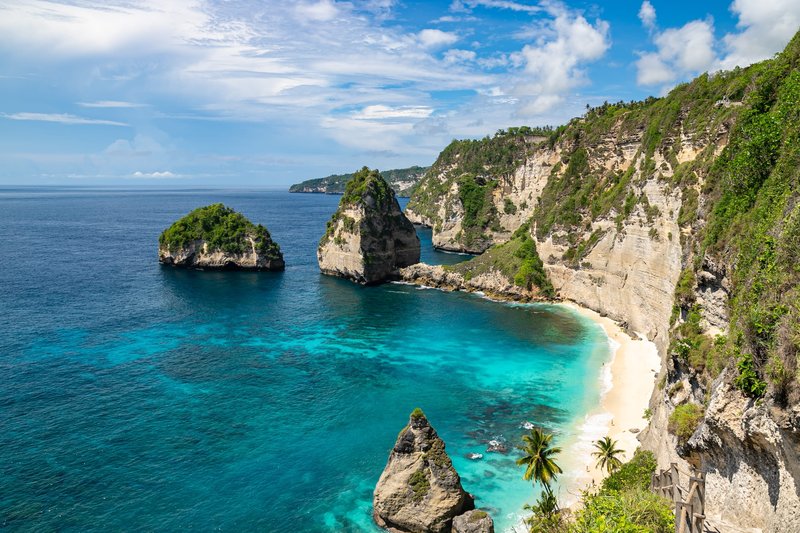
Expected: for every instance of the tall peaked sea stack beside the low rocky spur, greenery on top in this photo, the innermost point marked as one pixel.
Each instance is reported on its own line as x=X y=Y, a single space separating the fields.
x=369 y=238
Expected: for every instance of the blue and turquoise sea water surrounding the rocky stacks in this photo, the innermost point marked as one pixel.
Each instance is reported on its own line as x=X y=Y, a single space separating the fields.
x=140 y=397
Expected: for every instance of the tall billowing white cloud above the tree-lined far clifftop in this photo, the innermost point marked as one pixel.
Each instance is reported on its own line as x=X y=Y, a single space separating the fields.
x=553 y=66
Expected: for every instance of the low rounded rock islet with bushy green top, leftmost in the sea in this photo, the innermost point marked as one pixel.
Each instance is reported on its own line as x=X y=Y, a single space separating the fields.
x=217 y=237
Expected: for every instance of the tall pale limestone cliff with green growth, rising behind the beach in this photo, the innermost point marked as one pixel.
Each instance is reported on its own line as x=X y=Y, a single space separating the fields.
x=679 y=217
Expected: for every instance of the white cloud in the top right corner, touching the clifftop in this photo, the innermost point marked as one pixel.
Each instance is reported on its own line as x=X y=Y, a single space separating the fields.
x=764 y=29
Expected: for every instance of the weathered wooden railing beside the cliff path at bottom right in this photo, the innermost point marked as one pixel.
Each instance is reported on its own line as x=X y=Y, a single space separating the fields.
x=690 y=504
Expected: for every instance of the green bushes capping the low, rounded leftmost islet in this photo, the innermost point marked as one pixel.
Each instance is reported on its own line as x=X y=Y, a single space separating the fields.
x=222 y=228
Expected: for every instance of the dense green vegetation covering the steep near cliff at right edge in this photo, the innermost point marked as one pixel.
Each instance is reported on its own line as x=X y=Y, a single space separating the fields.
x=752 y=224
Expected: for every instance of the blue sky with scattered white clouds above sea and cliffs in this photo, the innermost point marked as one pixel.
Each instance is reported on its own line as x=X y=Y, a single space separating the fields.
x=238 y=93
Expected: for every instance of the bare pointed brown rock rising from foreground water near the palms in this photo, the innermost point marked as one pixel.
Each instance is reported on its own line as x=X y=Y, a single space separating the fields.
x=419 y=490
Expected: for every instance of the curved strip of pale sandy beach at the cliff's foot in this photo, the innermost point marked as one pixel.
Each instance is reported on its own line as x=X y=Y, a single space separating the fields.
x=628 y=381
